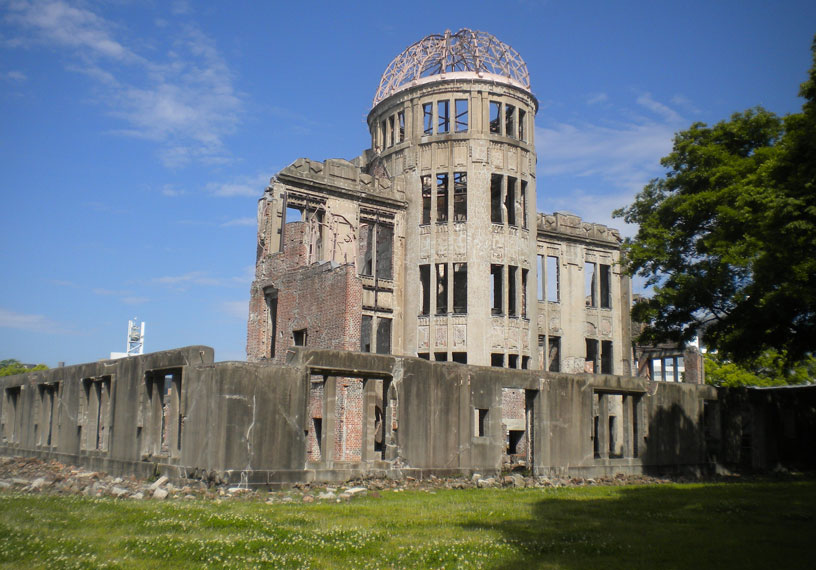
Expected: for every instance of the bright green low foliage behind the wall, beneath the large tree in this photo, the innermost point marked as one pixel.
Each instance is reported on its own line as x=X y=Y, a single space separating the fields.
x=768 y=369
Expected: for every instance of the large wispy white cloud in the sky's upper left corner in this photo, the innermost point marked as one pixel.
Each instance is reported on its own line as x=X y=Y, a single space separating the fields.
x=182 y=97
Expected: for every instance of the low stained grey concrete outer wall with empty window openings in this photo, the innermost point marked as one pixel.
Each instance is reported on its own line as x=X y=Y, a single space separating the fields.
x=335 y=415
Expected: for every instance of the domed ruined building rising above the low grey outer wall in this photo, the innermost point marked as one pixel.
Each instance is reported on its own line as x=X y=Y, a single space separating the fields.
x=429 y=244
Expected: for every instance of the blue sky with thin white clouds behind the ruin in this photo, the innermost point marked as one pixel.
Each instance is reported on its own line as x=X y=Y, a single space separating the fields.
x=136 y=137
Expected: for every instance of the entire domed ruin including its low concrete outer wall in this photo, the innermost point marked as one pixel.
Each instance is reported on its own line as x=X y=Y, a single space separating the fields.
x=412 y=314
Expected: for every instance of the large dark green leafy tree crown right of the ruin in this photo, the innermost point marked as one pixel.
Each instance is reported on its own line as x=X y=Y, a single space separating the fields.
x=728 y=236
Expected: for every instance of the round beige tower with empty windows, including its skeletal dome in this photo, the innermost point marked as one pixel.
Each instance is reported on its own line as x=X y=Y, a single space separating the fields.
x=452 y=121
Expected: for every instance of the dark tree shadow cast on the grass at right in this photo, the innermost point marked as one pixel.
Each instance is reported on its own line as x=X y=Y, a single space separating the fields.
x=737 y=525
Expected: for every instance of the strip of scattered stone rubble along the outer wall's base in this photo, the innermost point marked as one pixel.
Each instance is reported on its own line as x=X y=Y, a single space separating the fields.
x=28 y=475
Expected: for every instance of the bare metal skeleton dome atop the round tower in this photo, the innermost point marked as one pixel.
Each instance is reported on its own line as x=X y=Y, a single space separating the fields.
x=466 y=53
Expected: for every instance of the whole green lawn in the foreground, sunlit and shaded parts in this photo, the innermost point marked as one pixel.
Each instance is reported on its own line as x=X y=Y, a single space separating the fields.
x=736 y=525
